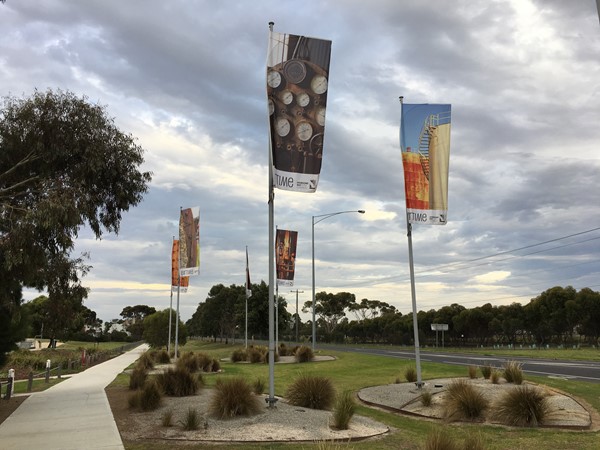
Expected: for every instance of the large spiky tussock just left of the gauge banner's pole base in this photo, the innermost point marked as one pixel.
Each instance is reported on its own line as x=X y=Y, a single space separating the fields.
x=234 y=397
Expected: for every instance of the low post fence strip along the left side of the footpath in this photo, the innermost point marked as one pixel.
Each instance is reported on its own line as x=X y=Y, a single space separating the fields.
x=72 y=366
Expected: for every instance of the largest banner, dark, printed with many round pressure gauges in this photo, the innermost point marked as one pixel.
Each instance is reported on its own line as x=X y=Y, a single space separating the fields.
x=297 y=86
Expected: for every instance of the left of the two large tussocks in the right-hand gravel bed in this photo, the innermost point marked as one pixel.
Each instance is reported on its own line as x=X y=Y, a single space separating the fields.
x=463 y=401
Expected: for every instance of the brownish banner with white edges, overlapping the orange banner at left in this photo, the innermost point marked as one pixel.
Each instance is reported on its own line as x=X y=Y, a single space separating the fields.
x=189 y=241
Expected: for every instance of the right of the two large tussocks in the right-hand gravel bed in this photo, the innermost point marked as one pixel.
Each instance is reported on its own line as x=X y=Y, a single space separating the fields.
x=523 y=406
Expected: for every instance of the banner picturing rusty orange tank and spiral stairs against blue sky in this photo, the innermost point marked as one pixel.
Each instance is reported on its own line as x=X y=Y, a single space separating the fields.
x=425 y=144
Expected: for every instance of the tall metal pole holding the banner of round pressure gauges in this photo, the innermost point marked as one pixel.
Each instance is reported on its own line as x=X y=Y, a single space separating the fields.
x=271 y=400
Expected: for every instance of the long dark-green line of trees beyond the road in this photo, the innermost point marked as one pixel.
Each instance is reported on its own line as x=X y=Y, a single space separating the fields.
x=558 y=316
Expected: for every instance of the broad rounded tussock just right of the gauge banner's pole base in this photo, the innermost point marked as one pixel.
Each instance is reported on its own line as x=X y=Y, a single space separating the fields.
x=311 y=391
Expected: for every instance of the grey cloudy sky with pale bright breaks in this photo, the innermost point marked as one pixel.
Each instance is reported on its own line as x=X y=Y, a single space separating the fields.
x=187 y=79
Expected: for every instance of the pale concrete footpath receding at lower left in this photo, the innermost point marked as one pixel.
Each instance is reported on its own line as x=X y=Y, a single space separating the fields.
x=74 y=414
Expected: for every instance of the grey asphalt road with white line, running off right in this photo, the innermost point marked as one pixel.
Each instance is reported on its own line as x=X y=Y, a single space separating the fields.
x=554 y=368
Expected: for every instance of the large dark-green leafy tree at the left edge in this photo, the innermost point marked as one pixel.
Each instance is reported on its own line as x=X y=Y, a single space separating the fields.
x=63 y=164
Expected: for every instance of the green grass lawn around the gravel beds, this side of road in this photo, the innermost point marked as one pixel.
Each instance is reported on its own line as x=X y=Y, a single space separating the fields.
x=353 y=371
